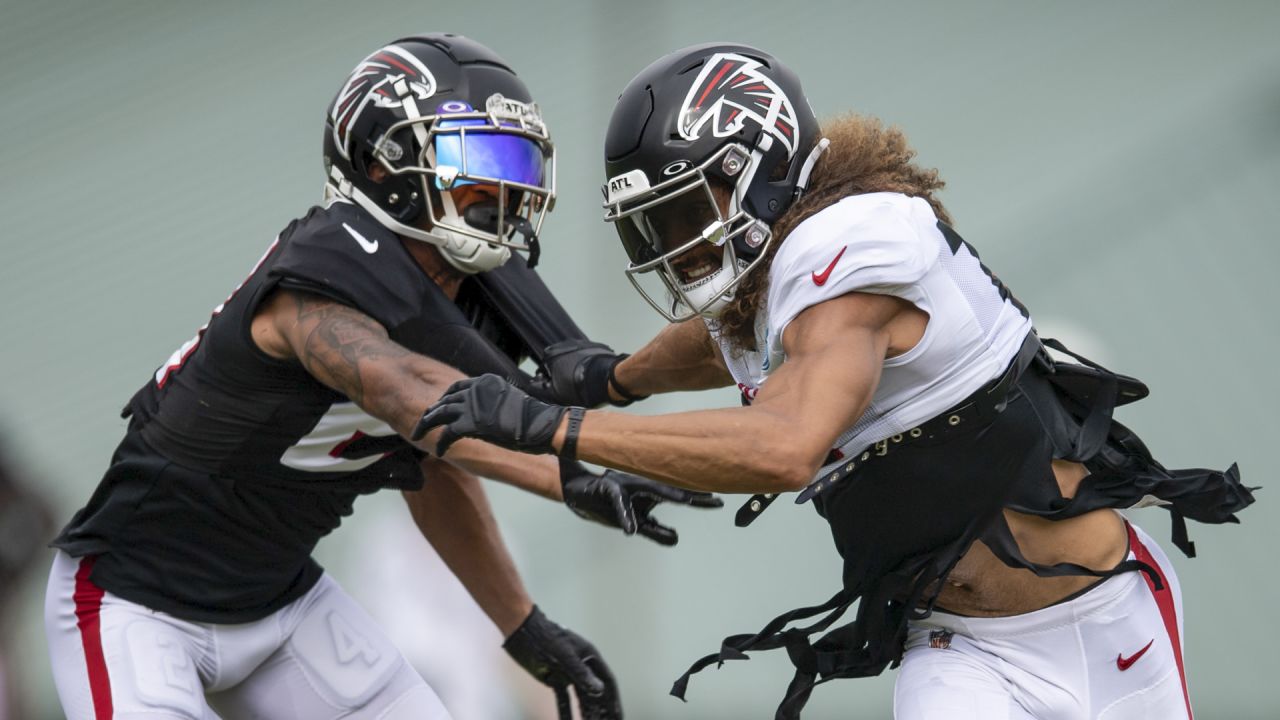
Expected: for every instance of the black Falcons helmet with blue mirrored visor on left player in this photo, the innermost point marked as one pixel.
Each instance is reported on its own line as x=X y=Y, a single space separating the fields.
x=440 y=112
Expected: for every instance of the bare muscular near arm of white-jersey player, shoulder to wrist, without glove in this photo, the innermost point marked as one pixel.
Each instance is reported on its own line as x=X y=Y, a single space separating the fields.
x=776 y=444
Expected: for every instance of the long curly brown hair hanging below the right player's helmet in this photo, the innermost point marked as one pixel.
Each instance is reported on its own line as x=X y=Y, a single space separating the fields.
x=865 y=157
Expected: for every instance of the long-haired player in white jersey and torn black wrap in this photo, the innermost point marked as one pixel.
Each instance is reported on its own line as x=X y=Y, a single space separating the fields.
x=971 y=481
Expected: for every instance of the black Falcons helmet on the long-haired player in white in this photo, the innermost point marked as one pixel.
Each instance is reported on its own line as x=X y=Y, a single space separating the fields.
x=706 y=151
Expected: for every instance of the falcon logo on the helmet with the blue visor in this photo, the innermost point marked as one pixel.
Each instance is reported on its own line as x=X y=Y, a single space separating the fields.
x=378 y=80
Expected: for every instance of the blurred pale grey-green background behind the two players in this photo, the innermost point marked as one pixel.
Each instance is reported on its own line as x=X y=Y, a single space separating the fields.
x=1117 y=163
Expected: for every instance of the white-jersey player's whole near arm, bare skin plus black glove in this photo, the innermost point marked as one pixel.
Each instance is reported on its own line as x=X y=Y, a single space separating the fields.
x=835 y=352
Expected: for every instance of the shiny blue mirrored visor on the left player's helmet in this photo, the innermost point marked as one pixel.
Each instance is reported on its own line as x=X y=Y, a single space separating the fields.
x=488 y=154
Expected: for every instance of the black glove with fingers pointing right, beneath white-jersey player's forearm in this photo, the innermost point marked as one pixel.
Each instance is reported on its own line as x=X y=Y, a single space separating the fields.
x=621 y=500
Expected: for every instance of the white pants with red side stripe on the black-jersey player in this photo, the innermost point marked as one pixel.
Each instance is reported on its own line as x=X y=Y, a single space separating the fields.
x=321 y=658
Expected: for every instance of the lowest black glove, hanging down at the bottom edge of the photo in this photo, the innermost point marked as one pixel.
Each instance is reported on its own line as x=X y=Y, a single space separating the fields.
x=559 y=658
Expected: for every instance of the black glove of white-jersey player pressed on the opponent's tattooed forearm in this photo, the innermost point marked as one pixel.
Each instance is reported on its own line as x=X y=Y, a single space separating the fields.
x=491 y=409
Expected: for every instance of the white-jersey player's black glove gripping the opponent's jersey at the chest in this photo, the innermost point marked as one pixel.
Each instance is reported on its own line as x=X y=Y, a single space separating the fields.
x=577 y=372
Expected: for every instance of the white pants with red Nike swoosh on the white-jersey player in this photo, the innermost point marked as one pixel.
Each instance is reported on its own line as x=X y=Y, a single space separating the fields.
x=1112 y=654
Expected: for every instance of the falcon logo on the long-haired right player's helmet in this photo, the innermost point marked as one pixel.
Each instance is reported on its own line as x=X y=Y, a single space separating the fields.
x=732 y=90
